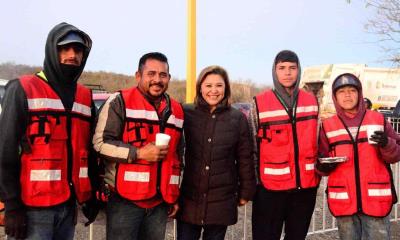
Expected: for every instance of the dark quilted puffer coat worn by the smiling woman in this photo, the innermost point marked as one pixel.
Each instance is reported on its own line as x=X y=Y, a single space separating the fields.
x=219 y=169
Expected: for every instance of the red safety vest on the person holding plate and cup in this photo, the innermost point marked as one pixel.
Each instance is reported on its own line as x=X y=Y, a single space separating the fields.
x=363 y=183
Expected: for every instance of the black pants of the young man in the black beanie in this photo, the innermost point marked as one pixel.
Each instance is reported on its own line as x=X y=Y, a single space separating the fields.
x=272 y=209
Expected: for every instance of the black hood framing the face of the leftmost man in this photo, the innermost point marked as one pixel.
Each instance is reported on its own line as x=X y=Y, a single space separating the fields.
x=61 y=83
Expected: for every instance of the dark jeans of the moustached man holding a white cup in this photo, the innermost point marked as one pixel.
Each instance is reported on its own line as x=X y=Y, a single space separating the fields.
x=125 y=220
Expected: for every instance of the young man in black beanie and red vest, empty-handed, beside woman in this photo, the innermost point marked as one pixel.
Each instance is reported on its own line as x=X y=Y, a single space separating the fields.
x=287 y=150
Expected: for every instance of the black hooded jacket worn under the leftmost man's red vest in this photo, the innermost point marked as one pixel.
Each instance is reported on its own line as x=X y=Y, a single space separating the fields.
x=14 y=119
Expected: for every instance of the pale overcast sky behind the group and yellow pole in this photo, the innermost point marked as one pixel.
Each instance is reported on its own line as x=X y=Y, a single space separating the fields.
x=242 y=36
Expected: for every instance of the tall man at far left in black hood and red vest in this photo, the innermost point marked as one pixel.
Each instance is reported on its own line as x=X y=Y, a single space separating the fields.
x=46 y=161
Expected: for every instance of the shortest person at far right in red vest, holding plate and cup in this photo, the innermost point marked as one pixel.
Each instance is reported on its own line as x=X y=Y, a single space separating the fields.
x=360 y=191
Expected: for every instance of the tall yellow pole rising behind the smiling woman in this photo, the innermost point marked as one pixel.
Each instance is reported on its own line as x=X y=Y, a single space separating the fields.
x=191 y=52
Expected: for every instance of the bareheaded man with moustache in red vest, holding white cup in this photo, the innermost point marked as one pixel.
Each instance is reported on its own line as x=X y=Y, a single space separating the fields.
x=143 y=178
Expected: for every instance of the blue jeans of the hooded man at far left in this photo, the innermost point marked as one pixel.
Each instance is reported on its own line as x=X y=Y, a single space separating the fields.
x=51 y=223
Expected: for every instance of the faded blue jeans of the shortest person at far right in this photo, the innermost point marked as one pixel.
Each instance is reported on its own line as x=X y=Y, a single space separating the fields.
x=360 y=226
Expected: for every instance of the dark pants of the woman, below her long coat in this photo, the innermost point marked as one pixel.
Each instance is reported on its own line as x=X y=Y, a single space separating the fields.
x=187 y=231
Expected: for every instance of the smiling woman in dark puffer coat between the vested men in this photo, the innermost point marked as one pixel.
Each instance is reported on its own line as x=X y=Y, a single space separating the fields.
x=219 y=165
